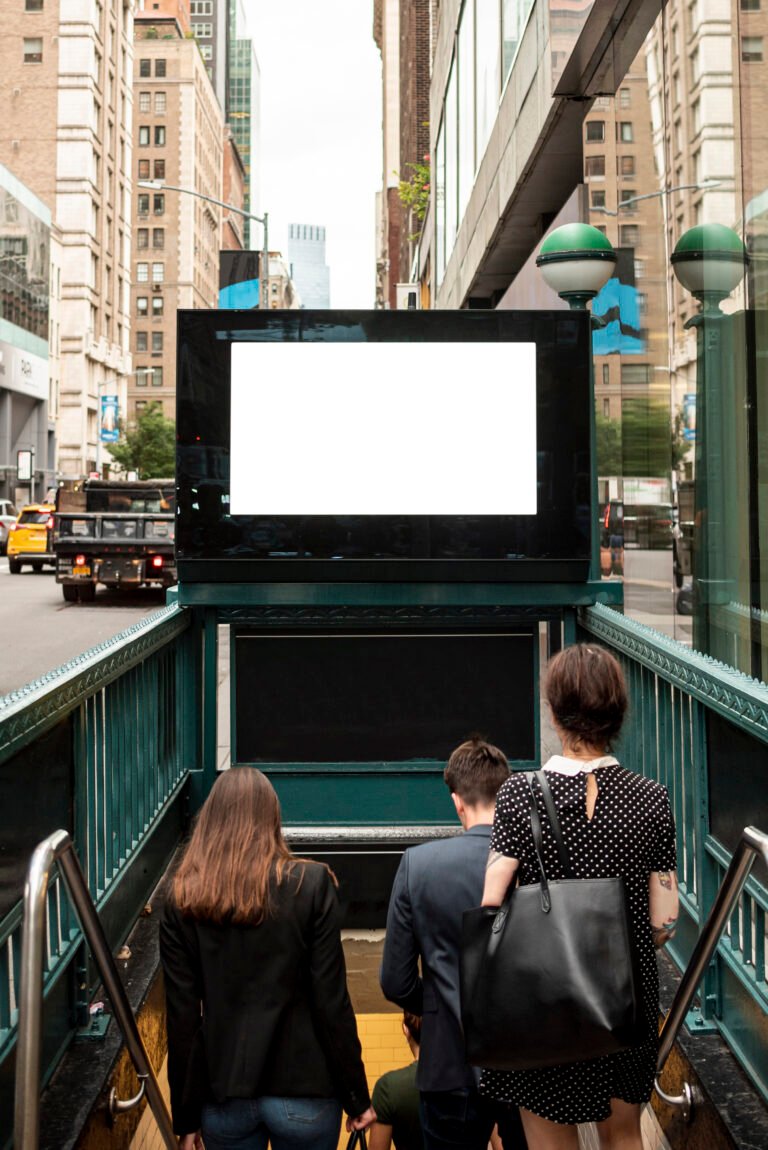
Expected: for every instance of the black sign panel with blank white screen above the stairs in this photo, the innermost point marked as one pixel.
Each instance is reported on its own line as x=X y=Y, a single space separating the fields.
x=383 y=446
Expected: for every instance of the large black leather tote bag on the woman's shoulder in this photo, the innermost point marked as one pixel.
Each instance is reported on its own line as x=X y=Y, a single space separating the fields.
x=552 y=976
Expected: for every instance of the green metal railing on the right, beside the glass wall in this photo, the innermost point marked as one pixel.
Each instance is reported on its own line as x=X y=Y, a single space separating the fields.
x=677 y=697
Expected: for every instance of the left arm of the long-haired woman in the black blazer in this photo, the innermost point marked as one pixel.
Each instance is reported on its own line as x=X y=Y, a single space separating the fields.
x=183 y=982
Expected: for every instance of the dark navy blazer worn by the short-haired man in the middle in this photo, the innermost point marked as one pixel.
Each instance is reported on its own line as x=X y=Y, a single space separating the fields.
x=435 y=885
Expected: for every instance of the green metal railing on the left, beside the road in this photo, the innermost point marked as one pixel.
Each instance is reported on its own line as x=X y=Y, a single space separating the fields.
x=112 y=739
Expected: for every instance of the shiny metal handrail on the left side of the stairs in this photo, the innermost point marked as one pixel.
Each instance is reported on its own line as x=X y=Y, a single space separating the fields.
x=60 y=849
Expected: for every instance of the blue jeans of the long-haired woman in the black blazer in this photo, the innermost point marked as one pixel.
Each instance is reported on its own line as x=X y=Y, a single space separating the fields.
x=289 y=1124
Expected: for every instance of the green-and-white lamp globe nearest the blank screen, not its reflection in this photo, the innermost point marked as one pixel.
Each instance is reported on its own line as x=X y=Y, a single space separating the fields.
x=577 y=260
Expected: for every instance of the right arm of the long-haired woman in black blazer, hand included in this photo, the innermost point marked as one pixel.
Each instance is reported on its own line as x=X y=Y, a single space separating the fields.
x=332 y=1008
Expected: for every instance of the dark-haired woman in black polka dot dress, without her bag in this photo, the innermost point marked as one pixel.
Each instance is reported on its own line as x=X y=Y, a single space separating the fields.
x=613 y=823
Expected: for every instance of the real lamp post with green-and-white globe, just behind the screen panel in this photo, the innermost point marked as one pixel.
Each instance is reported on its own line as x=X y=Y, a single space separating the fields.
x=577 y=260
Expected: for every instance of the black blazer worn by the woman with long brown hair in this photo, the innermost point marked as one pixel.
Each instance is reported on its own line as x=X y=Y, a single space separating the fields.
x=262 y=1010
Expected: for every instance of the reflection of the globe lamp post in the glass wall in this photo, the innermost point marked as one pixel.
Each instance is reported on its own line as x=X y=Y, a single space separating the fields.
x=710 y=262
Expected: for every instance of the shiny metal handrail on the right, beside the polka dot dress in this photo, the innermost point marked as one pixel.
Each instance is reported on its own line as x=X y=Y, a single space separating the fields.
x=754 y=842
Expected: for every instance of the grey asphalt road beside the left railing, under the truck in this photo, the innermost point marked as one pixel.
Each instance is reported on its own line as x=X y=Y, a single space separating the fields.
x=40 y=632
